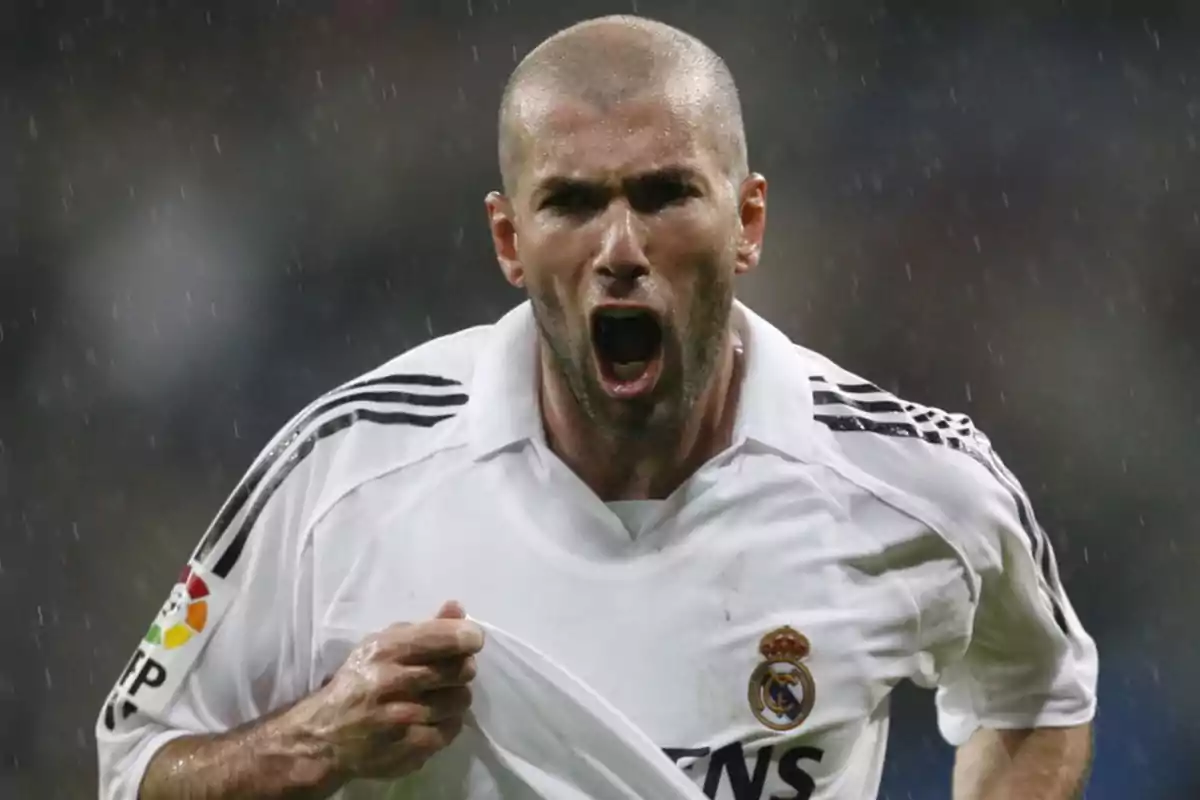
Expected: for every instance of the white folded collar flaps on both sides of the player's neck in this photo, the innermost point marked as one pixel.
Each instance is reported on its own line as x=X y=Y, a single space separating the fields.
x=776 y=407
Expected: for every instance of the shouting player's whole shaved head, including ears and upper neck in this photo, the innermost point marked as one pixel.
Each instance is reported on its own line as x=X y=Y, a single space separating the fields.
x=627 y=215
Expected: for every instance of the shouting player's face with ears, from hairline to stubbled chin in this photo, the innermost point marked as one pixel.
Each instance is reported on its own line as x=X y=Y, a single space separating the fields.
x=627 y=233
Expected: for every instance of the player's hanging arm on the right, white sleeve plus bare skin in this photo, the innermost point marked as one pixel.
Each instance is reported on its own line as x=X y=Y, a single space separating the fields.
x=1019 y=697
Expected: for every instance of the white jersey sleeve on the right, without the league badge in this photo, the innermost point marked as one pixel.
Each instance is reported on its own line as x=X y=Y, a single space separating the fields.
x=1028 y=661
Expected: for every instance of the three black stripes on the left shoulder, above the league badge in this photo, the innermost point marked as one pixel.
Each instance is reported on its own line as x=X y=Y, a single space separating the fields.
x=411 y=400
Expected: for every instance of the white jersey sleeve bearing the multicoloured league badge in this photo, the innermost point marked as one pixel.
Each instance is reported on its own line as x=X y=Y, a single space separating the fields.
x=232 y=641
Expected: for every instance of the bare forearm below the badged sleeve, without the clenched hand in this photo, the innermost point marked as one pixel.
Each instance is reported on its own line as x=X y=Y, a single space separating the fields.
x=278 y=757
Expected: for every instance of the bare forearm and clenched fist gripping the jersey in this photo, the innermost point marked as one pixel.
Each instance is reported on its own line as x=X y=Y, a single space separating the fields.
x=399 y=699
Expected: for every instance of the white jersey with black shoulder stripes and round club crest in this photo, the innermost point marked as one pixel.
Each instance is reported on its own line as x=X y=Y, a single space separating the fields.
x=752 y=627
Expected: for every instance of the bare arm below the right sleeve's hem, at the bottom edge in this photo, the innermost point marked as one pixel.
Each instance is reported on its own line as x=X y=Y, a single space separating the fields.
x=1041 y=765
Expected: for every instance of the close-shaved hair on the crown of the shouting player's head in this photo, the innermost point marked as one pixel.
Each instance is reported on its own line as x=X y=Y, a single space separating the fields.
x=607 y=61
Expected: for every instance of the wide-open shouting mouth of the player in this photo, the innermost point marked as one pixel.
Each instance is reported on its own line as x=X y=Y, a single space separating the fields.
x=628 y=345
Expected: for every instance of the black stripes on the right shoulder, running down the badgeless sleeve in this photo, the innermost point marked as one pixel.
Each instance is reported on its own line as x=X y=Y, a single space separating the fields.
x=843 y=408
